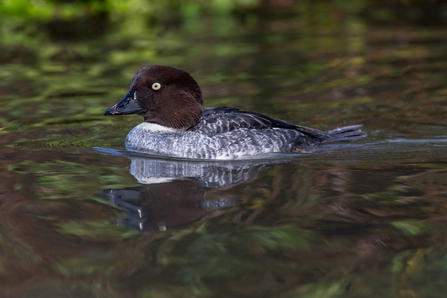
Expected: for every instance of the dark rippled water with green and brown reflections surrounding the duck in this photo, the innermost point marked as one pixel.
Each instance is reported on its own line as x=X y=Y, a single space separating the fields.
x=81 y=218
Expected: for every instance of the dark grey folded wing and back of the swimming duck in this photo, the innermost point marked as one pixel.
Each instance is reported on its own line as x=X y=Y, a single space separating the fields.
x=224 y=119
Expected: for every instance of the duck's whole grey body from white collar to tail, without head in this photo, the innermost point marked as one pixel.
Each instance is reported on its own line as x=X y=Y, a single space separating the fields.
x=227 y=133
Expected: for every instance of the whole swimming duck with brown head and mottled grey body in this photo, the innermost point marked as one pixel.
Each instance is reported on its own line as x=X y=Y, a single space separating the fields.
x=175 y=124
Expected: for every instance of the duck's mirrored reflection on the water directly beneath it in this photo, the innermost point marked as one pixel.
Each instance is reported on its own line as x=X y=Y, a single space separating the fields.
x=172 y=194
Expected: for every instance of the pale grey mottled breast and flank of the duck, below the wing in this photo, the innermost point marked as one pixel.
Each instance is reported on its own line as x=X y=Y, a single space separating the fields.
x=235 y=144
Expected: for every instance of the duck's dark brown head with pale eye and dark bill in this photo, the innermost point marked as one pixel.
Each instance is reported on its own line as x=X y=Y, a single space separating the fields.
x=162 y=95
